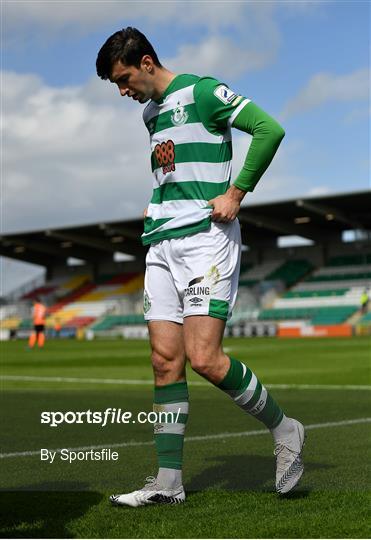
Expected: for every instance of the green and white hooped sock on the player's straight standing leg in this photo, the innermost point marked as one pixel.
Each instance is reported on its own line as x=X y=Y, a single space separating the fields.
x=169 y=436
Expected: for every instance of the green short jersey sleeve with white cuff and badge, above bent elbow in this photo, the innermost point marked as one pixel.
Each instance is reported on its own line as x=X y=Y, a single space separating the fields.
x=217 y=105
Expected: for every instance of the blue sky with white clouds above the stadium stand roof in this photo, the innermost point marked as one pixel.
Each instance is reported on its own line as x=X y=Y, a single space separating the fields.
x=77 y=149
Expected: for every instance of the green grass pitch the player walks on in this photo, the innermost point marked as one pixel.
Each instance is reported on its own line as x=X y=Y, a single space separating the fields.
x=228 y=471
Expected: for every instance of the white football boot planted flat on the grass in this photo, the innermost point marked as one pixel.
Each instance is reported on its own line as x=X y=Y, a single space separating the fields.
x=151 y=493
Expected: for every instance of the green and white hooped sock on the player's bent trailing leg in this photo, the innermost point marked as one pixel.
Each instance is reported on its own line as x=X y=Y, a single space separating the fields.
x=246 y=390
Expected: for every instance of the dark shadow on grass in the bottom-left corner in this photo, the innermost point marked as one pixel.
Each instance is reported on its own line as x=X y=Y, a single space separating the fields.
x=37 y=513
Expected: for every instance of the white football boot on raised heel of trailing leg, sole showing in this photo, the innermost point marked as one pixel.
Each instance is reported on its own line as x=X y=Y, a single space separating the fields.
x=289 y=464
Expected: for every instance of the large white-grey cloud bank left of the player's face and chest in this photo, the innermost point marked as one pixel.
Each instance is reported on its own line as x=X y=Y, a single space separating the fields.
x=71 y=155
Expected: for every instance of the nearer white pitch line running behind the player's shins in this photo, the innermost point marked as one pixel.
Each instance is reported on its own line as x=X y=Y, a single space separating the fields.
x=188 y=439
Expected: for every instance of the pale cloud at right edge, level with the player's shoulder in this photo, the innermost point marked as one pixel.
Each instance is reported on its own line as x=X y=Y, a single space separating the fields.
x=324 y=87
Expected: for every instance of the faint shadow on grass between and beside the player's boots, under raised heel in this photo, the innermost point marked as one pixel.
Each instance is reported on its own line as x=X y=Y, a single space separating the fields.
x=244 y=473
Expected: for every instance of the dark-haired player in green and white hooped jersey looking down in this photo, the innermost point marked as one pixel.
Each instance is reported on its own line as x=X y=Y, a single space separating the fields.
x=192 y=266
